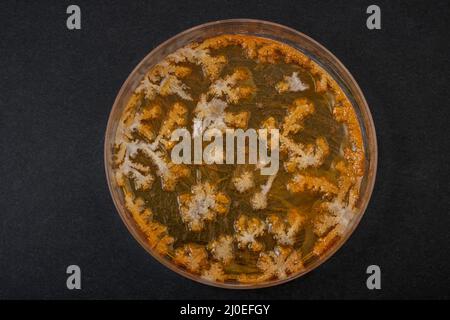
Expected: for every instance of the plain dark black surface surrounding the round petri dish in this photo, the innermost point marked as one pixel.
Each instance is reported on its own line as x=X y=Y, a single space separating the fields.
x=58 y=86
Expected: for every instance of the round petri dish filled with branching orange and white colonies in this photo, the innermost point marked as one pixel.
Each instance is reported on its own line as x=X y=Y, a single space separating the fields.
x=228 y=225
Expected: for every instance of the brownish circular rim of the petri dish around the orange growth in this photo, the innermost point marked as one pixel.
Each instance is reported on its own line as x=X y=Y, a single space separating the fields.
x=266 y=29
